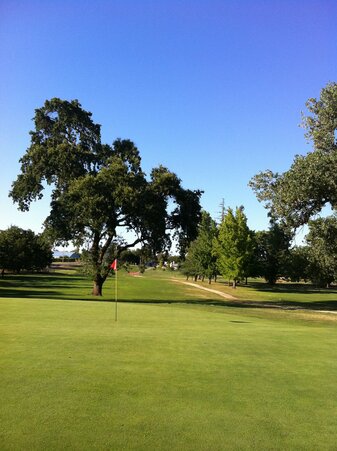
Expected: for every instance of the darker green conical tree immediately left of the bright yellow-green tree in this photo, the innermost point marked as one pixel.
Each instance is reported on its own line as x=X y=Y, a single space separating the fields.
x=200 y=259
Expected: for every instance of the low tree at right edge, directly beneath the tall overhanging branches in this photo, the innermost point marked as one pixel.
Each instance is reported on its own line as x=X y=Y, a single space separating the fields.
x=322 y=250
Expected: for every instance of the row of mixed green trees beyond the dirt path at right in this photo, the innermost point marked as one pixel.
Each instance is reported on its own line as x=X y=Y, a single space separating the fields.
x=235 y=252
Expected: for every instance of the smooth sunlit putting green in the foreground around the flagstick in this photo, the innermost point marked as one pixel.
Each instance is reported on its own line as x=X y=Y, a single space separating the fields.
x=164 y=377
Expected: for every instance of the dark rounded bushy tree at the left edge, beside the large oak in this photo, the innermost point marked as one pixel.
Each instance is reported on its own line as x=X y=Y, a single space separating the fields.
x=22 y=249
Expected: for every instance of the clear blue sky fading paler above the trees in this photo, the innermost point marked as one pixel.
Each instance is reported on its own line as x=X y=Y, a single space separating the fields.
x=212 y=89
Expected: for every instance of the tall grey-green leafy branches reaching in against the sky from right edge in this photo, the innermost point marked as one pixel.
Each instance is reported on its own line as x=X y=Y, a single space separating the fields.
x=311 y=182
